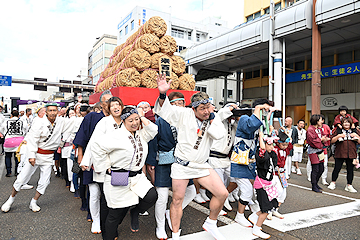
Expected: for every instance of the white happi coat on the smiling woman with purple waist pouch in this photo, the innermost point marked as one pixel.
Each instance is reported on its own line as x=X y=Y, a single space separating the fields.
x=115 y=150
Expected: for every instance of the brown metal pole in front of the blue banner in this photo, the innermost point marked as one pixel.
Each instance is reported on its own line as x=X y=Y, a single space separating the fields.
x=316 y=66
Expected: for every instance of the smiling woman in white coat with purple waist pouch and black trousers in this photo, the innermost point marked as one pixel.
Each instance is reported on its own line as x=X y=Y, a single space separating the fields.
x=124 y=151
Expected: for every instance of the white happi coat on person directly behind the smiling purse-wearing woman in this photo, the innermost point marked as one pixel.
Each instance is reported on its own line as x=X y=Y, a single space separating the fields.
x=104 y=126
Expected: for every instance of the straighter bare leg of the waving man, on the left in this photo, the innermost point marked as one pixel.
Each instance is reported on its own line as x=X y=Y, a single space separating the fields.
x=179 y=188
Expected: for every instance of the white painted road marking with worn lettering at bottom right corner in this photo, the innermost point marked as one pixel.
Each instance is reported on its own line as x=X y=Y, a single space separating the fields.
x=312 y=217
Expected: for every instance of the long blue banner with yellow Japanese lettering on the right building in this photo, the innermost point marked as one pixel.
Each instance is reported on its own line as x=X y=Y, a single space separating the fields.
x=335 y=71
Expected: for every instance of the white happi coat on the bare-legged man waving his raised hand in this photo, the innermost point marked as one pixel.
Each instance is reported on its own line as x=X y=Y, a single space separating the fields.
x=187 y=149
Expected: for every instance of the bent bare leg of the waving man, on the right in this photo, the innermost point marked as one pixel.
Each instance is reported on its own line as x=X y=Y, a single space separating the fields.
x=214 y=184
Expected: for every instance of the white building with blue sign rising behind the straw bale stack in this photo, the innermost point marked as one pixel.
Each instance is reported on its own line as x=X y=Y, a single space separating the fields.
x=186 y=34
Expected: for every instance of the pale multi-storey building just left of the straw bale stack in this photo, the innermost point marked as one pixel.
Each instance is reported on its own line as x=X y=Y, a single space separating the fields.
x=99 y=56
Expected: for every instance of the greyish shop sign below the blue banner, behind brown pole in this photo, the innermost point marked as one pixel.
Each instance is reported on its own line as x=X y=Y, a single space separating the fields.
x=334 y=101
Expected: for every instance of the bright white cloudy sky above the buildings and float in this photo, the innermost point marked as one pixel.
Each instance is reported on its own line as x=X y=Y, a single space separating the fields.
x=52 y=38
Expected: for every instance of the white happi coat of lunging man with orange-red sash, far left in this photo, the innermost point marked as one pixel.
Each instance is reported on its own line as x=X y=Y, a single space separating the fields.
x=46 y=136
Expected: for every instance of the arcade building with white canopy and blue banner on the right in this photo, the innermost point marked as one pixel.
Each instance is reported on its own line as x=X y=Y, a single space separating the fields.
x=245 y=49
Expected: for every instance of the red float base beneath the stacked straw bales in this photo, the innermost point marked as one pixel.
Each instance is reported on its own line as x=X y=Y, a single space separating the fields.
x=132 y=95
